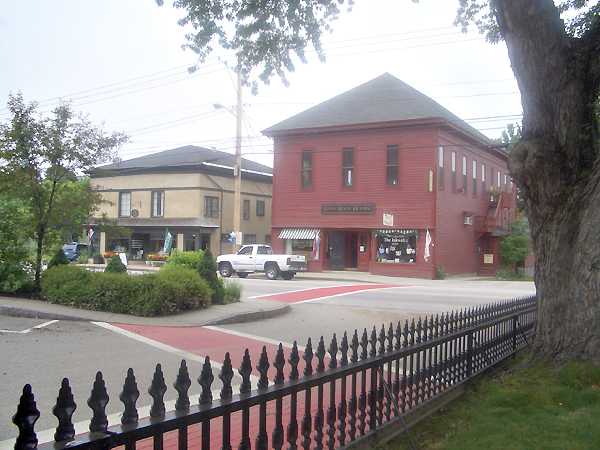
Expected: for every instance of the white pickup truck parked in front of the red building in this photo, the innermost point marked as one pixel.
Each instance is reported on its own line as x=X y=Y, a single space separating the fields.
x=260 y=258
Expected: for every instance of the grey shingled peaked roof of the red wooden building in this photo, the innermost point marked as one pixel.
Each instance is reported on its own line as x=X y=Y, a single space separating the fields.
x=383 y=99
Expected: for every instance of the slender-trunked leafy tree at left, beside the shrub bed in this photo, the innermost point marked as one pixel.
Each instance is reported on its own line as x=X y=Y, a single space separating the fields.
x=40 y=160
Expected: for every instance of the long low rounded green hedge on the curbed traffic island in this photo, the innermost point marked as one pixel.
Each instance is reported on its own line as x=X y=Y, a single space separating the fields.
x=159 y=293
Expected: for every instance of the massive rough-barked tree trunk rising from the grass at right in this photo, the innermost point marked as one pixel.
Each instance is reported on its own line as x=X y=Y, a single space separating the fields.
x=556 y=166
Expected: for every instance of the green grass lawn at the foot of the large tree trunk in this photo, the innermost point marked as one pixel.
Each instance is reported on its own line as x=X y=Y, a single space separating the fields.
x=539 y=406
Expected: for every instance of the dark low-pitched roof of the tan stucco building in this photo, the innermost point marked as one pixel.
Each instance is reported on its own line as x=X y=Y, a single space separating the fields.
x=189 y=155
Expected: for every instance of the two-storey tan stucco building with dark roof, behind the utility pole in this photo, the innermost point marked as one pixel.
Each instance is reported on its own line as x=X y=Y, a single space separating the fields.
x=188 y=191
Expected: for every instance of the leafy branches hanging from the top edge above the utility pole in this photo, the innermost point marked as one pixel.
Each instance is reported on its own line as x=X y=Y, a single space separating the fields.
x=266 y=33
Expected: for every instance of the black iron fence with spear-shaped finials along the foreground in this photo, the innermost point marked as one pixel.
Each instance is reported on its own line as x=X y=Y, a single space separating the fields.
x=346 y=393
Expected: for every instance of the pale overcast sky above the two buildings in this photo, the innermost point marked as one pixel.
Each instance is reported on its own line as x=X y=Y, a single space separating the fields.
x=121 y=64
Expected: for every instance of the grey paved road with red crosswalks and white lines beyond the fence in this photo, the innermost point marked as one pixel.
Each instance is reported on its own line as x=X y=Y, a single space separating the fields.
x=43 y=356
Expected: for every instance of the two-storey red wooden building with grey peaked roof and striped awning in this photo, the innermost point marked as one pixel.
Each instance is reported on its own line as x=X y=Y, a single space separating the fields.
x=384 y=179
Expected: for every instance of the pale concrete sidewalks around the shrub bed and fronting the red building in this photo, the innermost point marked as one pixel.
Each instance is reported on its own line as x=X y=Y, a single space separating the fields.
x=245 y=311
